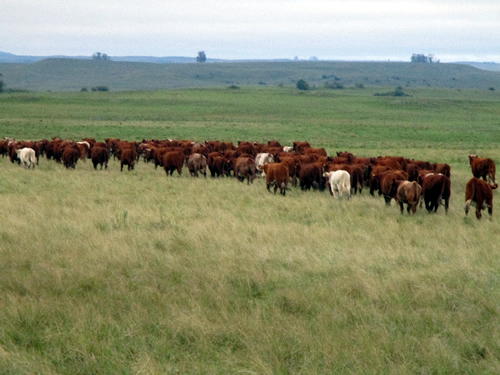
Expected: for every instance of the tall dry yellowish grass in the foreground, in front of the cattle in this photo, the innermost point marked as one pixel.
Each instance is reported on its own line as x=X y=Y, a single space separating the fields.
x=136 y=272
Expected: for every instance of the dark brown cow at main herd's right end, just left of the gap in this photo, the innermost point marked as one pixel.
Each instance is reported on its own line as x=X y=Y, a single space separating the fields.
x=435 y=189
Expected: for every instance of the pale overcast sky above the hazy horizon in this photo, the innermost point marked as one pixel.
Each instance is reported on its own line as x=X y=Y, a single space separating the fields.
x=452 y=30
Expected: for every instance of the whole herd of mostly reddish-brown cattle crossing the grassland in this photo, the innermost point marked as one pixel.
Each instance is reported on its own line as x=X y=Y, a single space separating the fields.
x=394 y=177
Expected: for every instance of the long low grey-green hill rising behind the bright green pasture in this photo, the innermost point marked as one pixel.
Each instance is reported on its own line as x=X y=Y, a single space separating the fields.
x=58 y=74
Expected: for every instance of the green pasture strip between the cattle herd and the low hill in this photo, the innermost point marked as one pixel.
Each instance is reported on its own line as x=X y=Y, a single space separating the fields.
x=465 y=120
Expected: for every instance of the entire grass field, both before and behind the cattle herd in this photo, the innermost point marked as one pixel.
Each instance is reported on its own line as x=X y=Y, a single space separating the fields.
x=103 y=272
